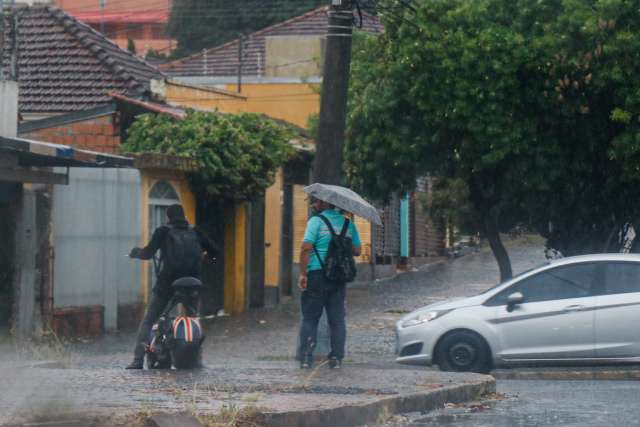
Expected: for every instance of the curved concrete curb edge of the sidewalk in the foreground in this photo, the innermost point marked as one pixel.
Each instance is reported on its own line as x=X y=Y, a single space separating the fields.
x=352 y=415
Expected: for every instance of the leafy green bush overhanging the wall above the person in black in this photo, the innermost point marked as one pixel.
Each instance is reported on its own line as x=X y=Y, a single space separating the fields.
x=238 y=155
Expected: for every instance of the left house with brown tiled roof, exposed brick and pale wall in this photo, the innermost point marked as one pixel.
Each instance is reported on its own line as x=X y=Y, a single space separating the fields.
x=69 y=77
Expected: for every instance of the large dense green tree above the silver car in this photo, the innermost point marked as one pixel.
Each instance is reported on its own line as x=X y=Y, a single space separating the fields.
x=531 y=104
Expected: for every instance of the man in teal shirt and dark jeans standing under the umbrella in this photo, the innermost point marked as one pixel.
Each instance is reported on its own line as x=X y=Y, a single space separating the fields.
x=317 y=292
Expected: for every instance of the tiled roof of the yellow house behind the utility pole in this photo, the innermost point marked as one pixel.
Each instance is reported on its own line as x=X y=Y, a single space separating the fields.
x=222 y=60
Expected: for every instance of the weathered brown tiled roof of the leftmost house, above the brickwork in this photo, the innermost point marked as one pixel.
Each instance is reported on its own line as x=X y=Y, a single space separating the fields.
x=64 y=65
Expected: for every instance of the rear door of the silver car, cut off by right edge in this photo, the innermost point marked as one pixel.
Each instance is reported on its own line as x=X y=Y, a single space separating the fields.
x=617 y=311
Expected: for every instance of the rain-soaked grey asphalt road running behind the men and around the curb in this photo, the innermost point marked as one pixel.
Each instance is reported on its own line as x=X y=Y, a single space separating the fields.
x=269 y=335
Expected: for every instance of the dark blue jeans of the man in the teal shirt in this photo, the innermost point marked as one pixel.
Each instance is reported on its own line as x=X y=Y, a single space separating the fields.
x=322 y=294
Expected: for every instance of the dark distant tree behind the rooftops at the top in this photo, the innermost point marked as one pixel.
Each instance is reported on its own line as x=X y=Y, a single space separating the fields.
x=200 y=24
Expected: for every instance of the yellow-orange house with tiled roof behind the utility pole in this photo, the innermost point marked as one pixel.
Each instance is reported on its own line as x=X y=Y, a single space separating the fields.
x=277 y=71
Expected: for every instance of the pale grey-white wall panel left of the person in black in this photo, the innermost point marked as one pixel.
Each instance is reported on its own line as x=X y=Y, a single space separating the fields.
x=96 y=222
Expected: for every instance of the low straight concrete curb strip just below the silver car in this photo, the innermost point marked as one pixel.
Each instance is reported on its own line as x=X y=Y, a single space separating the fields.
x=569 y=374
